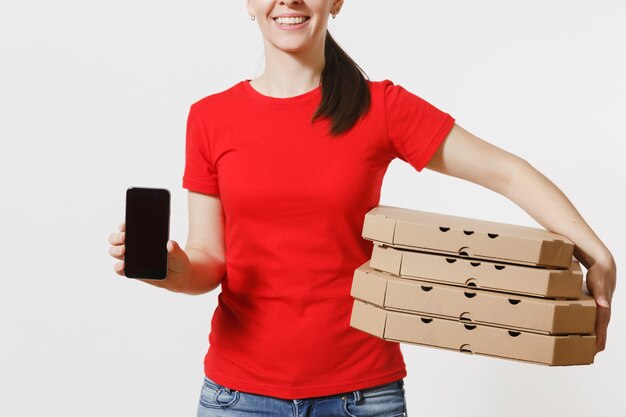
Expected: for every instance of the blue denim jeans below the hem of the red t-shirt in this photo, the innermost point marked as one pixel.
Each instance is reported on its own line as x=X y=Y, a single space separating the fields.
x=386 y=400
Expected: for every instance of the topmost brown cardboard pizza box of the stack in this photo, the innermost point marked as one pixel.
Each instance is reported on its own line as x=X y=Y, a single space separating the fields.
x=466 y=237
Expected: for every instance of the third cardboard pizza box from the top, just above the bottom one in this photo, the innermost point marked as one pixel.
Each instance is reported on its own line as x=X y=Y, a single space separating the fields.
x=499 y=309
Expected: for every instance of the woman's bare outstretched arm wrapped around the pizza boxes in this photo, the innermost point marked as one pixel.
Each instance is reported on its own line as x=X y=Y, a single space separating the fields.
x=468 y=157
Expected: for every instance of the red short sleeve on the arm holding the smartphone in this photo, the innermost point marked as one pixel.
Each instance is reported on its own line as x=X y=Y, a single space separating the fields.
x=200 y=174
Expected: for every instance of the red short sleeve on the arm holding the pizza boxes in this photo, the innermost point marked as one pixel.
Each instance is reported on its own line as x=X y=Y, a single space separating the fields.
x=415 y=128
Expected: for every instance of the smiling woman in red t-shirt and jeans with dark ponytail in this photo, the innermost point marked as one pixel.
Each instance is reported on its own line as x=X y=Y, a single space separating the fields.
x=281 y=171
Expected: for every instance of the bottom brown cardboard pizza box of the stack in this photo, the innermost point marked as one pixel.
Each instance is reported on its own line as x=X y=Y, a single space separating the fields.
x=473 y=338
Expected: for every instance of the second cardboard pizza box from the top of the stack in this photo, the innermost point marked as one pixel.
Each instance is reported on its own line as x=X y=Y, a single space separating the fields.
x=489 y=275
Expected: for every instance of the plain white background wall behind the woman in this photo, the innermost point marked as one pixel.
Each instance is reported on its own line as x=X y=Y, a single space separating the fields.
x=94 y=98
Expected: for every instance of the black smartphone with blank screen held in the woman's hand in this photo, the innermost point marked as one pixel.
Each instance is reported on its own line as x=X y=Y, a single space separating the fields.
x=147 y=232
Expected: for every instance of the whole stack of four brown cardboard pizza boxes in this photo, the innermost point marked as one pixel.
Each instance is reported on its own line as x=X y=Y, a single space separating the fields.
x=473 y=286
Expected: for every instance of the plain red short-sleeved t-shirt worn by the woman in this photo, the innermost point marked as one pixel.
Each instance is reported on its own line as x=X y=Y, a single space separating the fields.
x=294 y=201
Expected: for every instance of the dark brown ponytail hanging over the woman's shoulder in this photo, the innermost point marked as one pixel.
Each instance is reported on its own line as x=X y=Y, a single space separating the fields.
x=345 y=93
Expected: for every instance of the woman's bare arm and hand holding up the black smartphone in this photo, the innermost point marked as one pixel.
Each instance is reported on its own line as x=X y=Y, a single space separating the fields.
x=202 y=265
